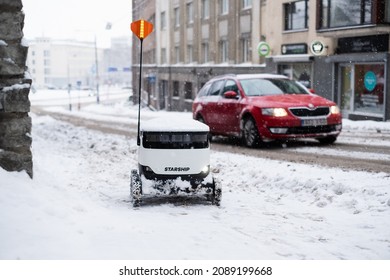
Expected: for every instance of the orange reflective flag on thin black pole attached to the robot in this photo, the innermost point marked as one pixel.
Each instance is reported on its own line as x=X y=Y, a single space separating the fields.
x=141 y=28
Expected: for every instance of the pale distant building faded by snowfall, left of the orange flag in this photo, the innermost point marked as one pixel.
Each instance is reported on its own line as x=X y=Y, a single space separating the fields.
x=59 y=63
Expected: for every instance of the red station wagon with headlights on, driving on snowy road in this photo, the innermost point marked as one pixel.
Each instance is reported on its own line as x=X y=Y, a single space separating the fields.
x=265 y=107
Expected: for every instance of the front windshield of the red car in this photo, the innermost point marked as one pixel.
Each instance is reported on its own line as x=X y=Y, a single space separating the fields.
x=258 y=87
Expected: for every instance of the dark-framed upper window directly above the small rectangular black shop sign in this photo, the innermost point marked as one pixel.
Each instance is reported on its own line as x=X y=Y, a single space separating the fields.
x=295 y=15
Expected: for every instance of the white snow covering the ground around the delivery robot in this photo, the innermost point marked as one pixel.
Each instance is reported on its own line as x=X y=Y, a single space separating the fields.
x=78 y=206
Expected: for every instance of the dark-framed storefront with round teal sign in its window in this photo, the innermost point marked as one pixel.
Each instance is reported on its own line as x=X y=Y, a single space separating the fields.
x=361 y=72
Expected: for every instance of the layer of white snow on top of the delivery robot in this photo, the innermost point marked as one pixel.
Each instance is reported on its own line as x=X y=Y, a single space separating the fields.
x=173 y=125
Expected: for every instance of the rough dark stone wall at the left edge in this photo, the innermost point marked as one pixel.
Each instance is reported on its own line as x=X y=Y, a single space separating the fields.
x=15 y=123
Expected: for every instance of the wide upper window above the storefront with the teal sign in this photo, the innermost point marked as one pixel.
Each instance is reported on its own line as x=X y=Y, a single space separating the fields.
x=340 y=13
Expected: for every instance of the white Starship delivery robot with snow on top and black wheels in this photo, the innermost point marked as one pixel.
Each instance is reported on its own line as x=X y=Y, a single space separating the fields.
x=173 y=159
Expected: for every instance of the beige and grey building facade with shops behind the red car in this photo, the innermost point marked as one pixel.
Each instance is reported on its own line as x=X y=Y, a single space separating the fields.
x=339 y=48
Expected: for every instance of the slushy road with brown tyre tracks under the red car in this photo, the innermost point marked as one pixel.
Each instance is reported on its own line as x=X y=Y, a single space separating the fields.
x=363 y=149
